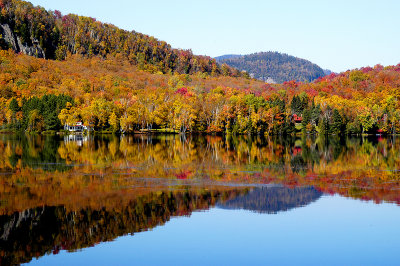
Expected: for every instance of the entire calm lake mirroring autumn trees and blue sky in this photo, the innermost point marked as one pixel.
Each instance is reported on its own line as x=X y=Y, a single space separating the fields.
x=195 y=200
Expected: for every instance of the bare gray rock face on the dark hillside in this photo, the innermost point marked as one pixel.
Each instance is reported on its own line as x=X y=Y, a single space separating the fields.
x=16 y=44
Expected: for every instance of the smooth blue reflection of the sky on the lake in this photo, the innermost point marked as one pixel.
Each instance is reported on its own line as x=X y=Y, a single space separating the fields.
x=333 y=230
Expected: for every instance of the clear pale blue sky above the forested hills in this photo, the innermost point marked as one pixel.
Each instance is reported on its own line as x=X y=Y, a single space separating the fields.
x=337 y=35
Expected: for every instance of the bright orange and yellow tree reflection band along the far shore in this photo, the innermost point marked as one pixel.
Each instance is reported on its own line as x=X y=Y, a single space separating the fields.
x=36 y=167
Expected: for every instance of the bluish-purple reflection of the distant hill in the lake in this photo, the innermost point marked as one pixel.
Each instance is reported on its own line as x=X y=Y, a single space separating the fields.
x=273 y=199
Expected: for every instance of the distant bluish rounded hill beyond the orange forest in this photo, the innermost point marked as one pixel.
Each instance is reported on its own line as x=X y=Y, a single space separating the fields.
x=274 y=67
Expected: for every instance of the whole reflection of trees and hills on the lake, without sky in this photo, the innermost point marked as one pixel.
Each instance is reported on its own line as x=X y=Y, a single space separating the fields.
x=75 y=191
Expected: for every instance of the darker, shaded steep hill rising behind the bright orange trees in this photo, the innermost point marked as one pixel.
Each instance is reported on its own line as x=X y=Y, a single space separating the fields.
x=48 y=34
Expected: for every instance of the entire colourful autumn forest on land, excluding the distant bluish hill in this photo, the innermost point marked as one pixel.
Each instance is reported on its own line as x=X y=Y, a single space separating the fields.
x=59 y=70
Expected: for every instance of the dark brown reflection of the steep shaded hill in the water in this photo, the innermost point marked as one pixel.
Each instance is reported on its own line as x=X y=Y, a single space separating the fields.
x=39 y=231
